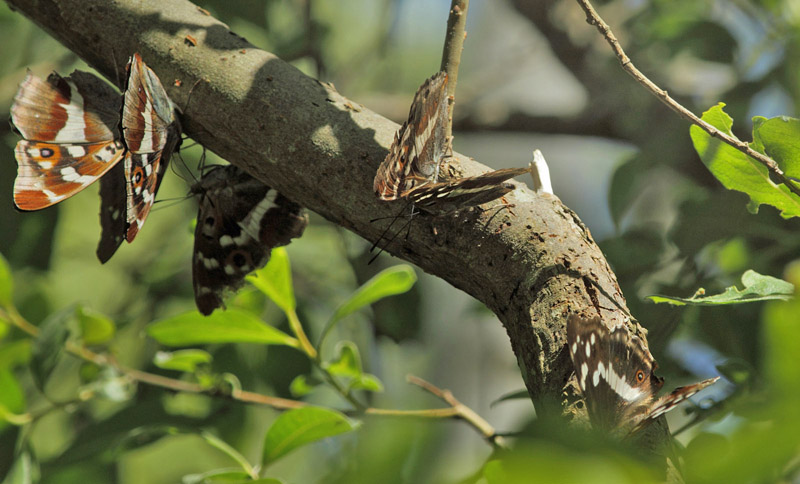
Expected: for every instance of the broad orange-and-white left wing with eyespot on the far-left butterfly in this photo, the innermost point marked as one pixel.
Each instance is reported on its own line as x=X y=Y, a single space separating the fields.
x=69 y=126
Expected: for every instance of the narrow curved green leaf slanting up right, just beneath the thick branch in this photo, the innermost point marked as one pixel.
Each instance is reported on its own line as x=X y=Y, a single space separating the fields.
x=389 y=282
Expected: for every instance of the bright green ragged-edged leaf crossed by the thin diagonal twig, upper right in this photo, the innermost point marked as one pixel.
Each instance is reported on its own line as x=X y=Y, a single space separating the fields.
x=737 y=171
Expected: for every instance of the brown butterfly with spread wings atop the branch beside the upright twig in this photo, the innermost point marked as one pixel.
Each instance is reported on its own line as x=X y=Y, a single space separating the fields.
x=411 y=169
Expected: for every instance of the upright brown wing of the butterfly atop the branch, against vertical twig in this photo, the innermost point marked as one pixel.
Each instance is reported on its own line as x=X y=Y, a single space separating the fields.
x=419 y=146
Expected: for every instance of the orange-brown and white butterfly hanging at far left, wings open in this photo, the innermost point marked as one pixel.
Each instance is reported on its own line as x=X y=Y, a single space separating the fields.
x=71 y=129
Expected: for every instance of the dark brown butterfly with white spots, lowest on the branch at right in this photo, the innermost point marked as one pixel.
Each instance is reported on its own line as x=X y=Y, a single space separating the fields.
x=615 y=372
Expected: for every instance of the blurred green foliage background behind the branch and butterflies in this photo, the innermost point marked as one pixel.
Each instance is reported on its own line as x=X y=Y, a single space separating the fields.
x=533 y=75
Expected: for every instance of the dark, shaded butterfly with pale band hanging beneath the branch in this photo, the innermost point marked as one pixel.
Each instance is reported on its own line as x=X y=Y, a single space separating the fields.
x=239 y=222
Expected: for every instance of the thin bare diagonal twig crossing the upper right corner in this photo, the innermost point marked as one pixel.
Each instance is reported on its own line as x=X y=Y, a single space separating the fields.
x=593 y=18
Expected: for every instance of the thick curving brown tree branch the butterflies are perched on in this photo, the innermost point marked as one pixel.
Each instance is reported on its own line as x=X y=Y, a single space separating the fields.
x=531 y=264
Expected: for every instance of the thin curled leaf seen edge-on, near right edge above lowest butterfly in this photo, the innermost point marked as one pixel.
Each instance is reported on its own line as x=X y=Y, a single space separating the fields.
x=757 y=287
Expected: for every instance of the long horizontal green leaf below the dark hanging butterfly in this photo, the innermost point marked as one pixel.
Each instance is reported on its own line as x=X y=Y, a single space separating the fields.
x=231 y=326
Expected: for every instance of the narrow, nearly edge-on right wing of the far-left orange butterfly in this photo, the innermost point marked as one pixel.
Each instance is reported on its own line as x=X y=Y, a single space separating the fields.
x=151 y=132
